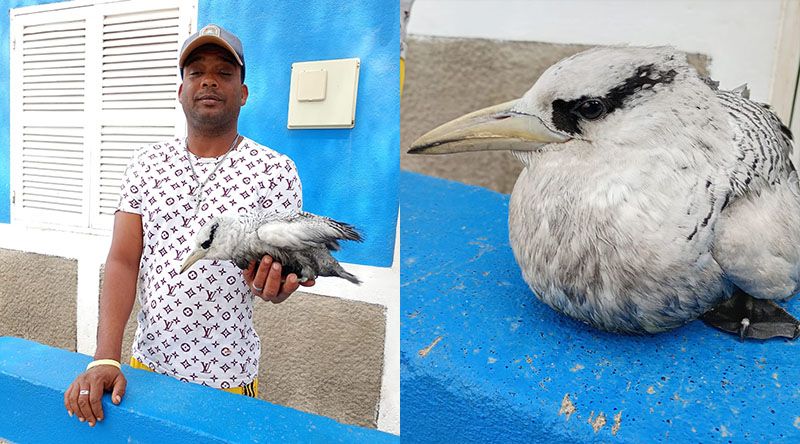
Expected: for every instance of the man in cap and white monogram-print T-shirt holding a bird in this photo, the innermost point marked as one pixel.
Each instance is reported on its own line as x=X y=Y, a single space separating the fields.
x=195 y=326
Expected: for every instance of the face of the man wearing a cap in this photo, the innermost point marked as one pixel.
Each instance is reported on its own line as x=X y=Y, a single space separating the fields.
x=212 y=91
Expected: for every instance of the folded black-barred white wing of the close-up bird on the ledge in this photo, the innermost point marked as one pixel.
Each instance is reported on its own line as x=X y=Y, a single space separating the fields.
x=757 y=236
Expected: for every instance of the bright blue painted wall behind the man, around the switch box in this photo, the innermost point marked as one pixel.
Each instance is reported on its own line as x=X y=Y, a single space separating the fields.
x=347 y=174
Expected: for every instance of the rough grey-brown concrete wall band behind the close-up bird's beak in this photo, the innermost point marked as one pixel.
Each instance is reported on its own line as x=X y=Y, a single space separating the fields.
x=449 y=77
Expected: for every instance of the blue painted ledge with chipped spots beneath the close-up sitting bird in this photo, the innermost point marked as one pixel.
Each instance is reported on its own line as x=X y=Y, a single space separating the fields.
x=483 y=361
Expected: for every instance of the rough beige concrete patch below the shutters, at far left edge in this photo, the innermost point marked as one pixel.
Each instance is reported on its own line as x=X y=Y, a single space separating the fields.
x=37 y=298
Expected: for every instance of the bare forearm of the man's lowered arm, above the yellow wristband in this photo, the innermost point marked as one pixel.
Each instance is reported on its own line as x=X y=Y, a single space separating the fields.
x=116 y=303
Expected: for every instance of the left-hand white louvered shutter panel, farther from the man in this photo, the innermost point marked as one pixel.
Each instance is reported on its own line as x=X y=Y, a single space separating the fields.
x=48 y=130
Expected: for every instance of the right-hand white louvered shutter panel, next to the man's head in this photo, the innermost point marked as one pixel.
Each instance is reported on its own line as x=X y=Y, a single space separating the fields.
x=138 y=94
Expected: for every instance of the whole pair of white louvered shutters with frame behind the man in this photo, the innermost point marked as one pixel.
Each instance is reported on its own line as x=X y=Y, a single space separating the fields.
x=89 y=85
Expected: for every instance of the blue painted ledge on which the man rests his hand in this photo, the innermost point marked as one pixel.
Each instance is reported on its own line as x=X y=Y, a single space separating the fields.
x=155 y=408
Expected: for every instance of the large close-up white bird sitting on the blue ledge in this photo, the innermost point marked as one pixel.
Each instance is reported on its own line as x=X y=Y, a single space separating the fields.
x=649 y=196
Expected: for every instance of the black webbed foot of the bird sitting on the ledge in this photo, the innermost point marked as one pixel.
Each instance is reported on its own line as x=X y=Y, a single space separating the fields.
x=748 y=317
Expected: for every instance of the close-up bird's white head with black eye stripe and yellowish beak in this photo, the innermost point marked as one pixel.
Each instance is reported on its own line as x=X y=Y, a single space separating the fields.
x=615 y=95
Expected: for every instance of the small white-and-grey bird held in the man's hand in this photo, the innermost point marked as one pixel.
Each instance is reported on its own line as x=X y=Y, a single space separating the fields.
x=302 y=242
